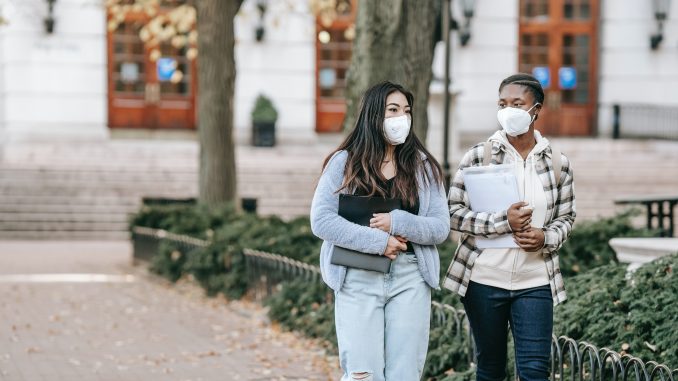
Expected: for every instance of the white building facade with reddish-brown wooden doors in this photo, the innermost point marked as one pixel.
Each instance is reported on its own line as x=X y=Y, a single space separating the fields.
x=83 y=80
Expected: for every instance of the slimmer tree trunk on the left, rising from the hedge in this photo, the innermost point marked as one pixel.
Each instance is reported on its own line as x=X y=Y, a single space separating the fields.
x=216 y=85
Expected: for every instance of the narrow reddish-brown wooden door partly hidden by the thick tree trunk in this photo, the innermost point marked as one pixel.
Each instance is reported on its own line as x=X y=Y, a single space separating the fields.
x=333 y=56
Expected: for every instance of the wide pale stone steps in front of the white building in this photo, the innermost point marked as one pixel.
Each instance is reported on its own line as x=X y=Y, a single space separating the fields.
x=88 y=191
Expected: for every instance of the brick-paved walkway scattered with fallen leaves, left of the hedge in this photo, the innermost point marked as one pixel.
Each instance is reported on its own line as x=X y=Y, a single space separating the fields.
x=80 y=311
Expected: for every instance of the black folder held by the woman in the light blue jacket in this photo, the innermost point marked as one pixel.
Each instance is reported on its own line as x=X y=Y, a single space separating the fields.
x=359 y=210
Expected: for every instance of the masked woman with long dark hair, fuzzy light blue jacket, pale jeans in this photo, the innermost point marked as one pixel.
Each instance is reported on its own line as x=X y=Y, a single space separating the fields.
x=382 y=319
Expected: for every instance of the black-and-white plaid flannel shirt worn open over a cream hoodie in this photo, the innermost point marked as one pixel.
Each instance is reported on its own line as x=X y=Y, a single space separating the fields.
x=560 y=215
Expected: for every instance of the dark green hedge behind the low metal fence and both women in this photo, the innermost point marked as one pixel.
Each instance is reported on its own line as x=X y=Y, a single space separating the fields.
x=308 y=307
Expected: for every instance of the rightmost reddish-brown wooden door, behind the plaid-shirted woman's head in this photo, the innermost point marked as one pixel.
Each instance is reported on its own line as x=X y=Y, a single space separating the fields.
x=558 y=44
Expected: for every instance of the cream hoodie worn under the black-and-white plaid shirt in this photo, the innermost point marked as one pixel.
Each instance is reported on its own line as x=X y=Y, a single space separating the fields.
x=514 y=268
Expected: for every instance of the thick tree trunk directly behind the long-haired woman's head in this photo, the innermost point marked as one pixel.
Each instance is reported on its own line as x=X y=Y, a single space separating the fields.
x=394 y=41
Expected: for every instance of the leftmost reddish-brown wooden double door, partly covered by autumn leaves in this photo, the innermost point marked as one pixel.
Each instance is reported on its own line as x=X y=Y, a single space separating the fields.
x=143 y=93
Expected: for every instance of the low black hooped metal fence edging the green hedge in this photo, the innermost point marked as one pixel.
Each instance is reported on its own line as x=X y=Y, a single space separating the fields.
x=570 y=359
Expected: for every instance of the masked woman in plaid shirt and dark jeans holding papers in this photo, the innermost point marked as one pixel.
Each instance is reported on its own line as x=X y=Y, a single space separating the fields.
x=518 y=286
